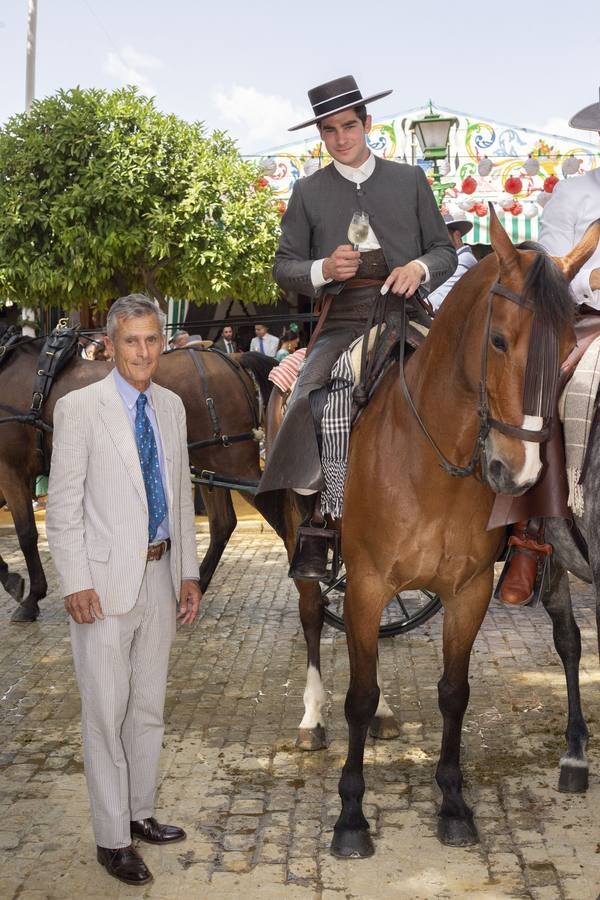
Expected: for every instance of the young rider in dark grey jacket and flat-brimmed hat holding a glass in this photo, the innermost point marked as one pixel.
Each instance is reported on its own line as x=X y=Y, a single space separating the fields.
x=407 y=245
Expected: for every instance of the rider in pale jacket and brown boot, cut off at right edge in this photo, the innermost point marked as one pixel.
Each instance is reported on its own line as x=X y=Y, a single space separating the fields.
x=575 y=204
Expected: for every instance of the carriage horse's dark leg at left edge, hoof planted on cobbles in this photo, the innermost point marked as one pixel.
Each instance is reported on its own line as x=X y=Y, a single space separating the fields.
x=18 y=497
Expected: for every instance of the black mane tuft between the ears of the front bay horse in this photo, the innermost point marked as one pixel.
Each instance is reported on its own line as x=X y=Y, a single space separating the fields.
x=548 y=288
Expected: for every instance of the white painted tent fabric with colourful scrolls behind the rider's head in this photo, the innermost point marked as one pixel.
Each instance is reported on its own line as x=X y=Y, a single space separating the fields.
x=515 y=168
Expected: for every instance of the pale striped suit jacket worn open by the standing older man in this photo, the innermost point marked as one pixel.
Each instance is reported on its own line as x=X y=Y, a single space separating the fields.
x=97 y=514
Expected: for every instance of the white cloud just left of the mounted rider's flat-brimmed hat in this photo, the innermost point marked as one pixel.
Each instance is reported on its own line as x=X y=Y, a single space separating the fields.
x=259 y=120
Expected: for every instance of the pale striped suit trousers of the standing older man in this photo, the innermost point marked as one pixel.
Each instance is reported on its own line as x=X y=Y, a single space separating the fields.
x=121 y=664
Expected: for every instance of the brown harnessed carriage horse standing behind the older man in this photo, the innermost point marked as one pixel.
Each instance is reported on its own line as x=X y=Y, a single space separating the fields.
x=194 y=375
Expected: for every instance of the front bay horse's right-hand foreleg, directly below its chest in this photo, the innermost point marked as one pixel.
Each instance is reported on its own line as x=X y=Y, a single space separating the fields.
x=462 y=619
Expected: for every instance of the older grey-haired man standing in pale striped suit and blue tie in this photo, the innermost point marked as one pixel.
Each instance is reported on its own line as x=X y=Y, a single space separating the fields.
x=120 y=525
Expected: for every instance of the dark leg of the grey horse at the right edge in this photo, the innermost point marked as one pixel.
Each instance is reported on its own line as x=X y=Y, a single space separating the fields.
x=567 y=640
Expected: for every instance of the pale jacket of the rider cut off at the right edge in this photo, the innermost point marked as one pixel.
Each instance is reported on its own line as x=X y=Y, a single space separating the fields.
x=574 y=205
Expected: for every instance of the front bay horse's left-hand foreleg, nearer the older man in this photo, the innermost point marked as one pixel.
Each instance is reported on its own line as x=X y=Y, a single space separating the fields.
x=362 y=614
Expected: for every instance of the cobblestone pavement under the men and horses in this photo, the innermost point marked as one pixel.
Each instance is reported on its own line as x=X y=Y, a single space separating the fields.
x=259 y=813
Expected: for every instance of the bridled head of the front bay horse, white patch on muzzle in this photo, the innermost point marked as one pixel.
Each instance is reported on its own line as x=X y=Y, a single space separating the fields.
x=527 y=334
